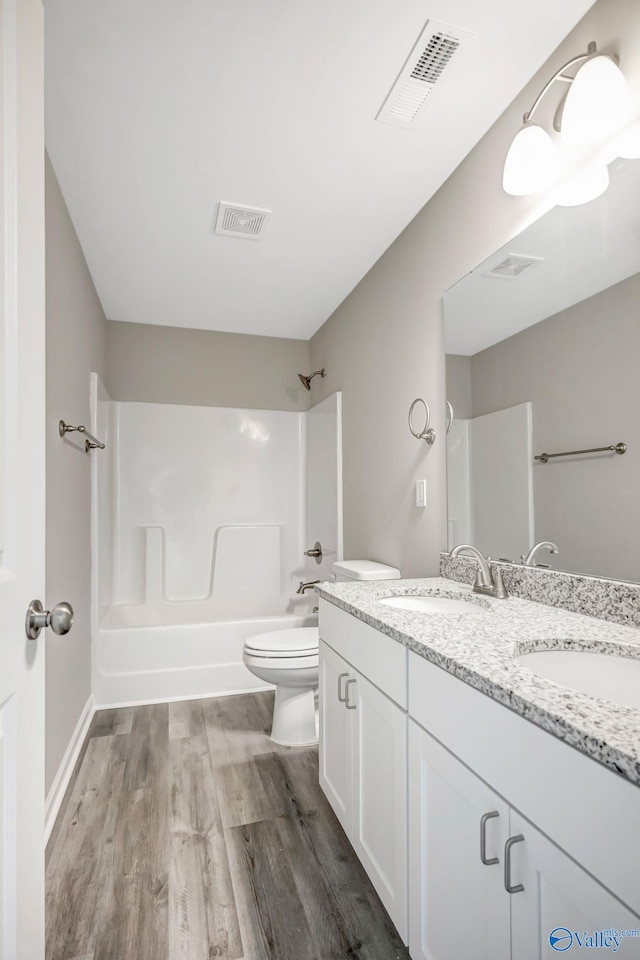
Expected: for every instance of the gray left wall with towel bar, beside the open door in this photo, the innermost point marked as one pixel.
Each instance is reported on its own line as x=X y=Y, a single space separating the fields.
x=76 y=338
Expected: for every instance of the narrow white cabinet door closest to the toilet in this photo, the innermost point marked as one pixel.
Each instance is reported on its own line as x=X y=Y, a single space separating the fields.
x=336 y=738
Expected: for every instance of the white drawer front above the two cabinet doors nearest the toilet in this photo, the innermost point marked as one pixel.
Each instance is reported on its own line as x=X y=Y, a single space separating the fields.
x=376 y=656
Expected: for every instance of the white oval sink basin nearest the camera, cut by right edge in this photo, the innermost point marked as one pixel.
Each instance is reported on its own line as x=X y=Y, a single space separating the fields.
x=603 y=675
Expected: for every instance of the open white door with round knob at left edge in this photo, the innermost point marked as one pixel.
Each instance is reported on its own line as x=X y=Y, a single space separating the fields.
x=22 y=490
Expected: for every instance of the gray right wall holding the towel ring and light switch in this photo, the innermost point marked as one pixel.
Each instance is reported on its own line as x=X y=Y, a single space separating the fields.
x=384 y=346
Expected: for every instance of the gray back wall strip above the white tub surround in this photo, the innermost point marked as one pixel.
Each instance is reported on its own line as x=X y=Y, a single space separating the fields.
x=177 y=365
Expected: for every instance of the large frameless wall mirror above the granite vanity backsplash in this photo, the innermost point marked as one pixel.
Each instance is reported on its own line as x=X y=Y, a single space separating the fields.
x=543 y=356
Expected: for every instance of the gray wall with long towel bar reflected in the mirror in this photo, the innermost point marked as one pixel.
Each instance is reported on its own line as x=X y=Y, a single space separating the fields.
x=580 y=370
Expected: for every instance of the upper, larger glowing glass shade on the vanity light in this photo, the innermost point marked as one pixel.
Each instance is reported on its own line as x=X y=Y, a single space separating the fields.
x=597 y=104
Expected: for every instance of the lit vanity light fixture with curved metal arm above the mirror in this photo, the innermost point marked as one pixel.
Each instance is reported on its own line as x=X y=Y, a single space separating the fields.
x=596 y=105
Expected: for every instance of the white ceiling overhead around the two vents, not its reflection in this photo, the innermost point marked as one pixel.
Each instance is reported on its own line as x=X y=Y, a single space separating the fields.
x=159 y=109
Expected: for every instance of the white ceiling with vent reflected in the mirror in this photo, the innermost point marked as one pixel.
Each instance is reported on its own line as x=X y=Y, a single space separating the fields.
x=583 y=249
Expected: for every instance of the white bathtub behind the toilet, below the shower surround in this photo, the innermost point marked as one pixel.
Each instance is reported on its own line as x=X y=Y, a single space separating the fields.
x=141 y=664
